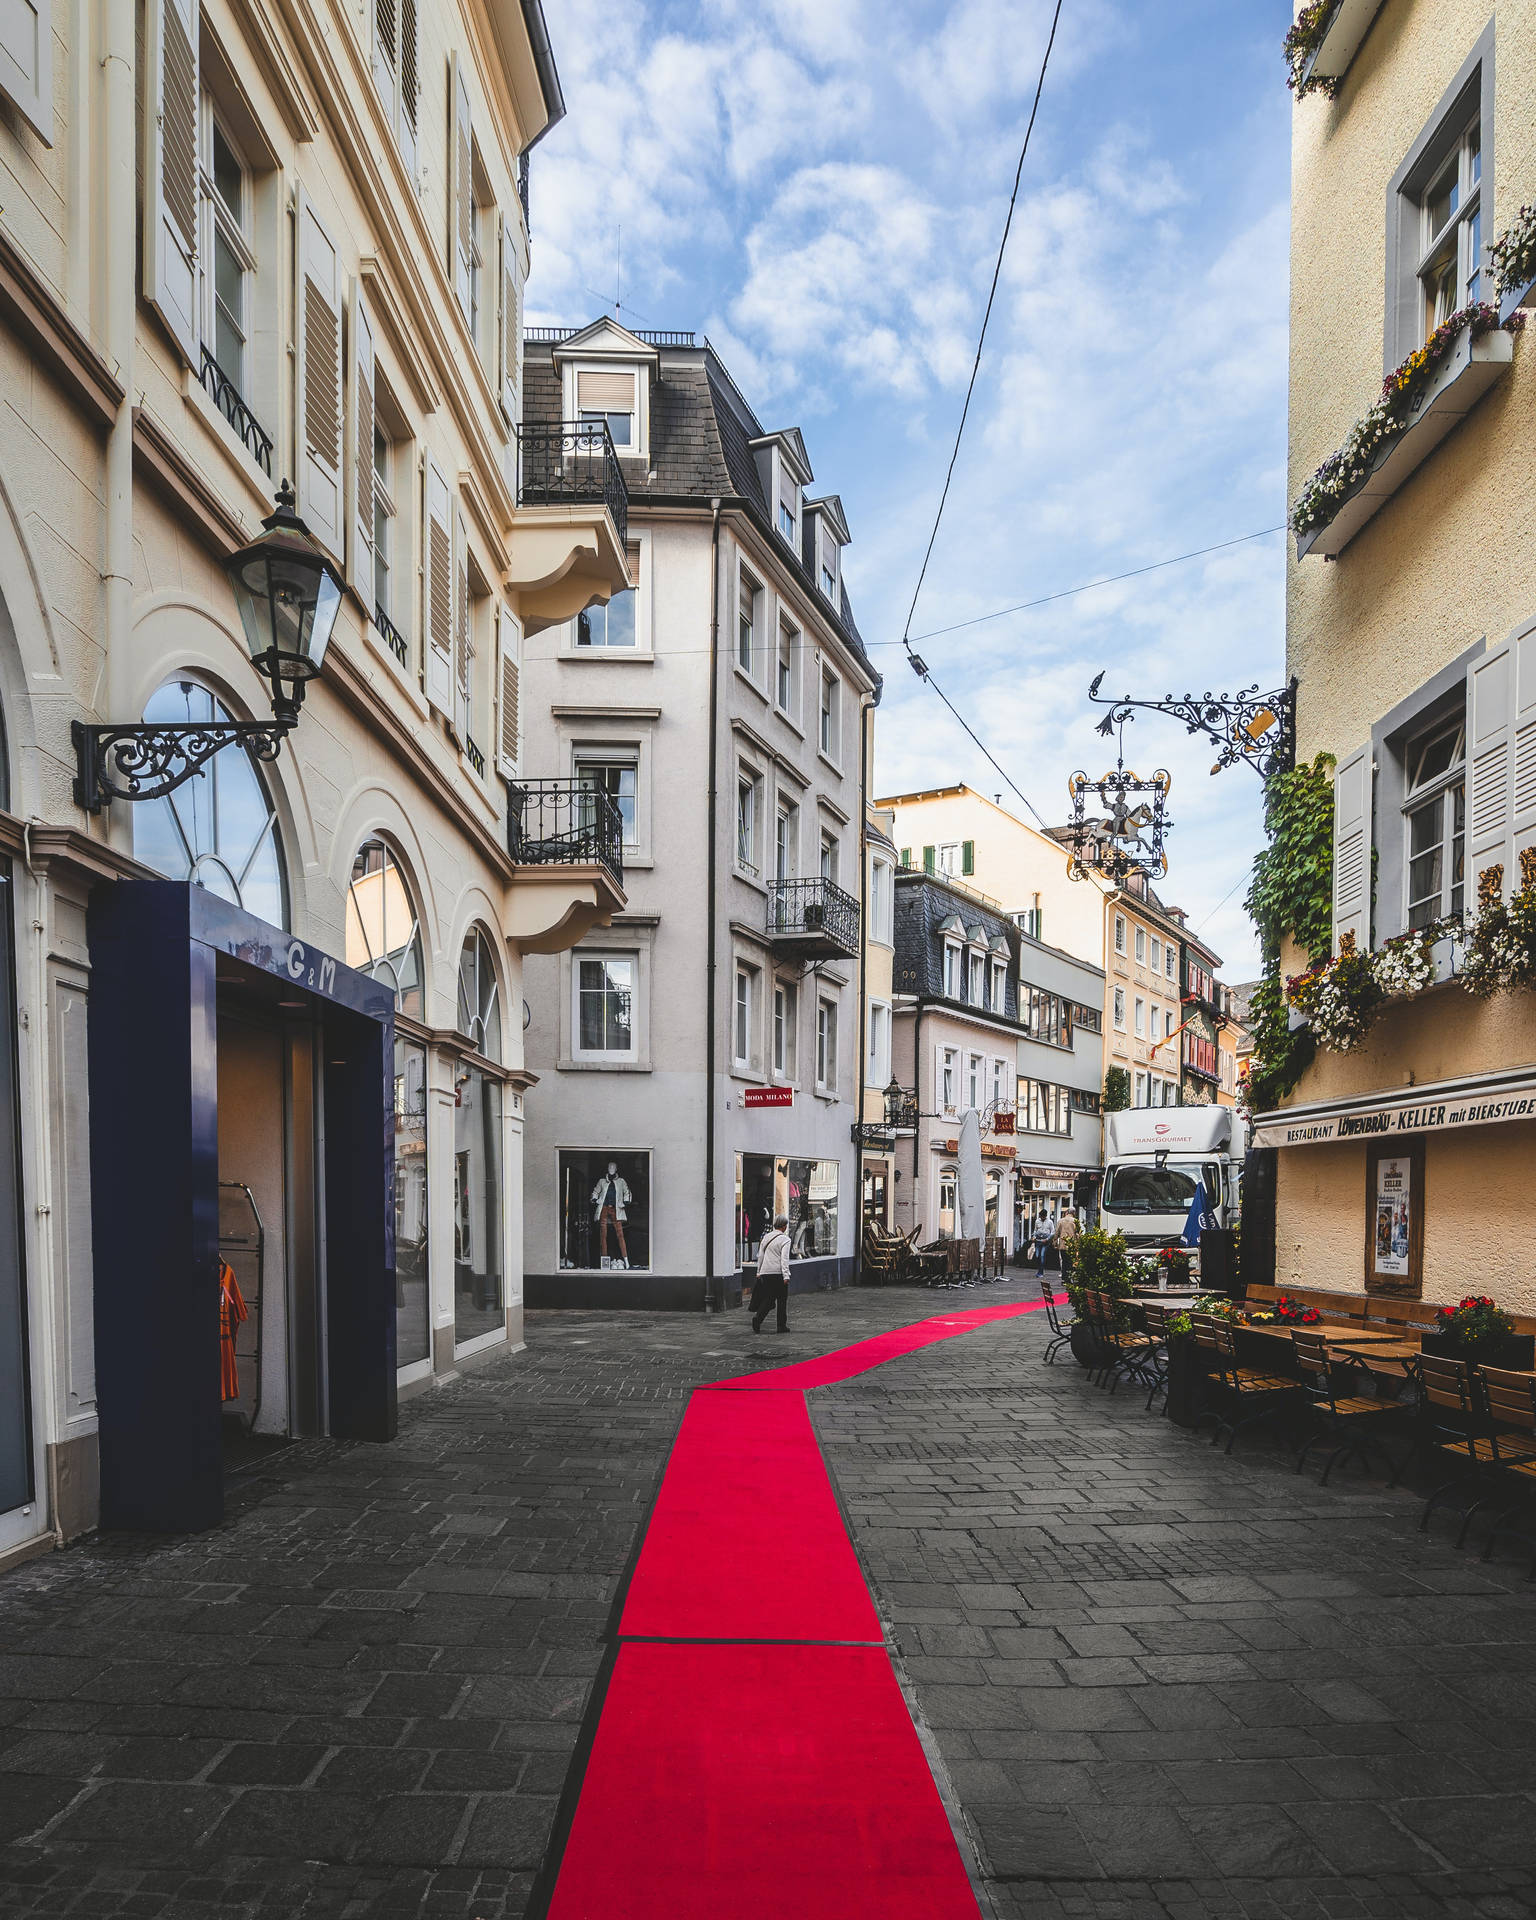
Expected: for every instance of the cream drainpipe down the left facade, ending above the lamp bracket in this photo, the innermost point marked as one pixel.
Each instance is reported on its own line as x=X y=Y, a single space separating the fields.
x=120 y=277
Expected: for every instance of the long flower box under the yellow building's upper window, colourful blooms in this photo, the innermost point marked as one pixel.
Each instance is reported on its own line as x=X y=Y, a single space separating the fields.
x=1420 y=404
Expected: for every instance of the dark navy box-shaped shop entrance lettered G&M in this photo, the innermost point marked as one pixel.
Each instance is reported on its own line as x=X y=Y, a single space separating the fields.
x=241 y=1115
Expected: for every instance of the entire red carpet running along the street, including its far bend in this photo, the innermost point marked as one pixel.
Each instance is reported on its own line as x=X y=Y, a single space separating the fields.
x=736 y=1777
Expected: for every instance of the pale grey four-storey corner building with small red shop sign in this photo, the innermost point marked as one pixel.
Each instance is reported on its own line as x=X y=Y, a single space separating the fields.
x=704 y=1049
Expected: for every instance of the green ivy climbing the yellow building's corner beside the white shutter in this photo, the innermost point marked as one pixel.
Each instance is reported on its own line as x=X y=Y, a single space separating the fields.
x=1291 y=898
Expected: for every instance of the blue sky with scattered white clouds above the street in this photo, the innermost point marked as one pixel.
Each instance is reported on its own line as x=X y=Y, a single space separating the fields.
x=821 y=185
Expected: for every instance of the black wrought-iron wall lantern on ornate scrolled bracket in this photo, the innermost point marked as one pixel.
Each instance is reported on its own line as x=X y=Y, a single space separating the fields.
x=289 y=594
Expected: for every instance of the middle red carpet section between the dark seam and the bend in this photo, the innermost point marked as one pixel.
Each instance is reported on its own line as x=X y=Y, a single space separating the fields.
x=746 y=1541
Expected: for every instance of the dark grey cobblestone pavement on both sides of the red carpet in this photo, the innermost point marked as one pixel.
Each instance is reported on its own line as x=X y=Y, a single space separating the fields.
x=1155 y=1681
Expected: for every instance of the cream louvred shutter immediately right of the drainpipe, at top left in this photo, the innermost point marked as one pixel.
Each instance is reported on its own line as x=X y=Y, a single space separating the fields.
x=172 y=170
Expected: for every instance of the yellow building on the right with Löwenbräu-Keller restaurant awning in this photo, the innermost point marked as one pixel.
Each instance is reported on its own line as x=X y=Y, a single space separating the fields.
x=1404 y=1164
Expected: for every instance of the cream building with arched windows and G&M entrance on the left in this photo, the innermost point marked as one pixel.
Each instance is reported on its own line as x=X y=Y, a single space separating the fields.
x=316 y=274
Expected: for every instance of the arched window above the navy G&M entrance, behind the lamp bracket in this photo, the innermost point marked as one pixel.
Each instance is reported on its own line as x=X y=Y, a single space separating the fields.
x=218 y=828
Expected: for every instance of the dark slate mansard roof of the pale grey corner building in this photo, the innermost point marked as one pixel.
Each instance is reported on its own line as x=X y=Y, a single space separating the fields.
x=702 y=433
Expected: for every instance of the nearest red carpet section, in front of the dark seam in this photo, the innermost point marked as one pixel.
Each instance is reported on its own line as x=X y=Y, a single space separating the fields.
x=759 y=1785
